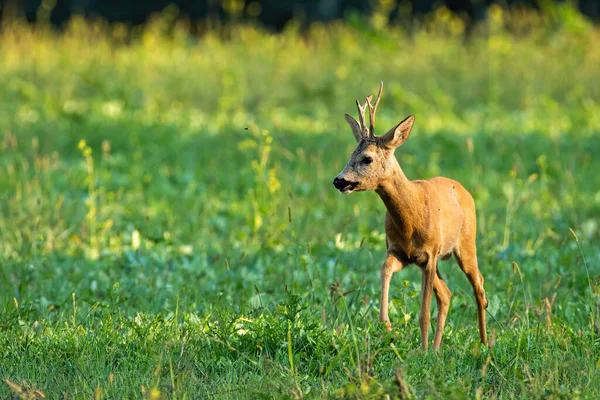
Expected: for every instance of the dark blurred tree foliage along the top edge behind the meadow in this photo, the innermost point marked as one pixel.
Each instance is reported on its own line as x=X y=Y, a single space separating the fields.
x=271 y=13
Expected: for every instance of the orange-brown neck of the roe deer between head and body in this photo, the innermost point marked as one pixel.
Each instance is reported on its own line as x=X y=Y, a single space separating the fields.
x=403 y=200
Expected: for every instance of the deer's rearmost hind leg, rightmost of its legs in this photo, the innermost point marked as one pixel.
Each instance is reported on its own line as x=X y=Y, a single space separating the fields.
x=466 y=256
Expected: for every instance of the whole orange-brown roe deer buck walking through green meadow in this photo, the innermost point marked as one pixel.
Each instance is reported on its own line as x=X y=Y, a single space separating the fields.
x=426 y=219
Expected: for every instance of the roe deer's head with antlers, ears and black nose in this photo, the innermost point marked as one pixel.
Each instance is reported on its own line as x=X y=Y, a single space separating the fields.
x=373 y=159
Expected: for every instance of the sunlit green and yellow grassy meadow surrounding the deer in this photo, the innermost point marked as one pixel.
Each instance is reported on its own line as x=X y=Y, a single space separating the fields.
x=168 y=227
